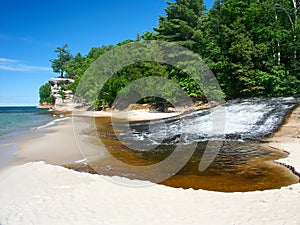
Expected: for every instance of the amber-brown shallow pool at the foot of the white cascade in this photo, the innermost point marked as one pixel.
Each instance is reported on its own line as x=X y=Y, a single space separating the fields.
x=239 y=166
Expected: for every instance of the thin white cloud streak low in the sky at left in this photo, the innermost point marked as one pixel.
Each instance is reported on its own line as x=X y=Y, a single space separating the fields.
x=16 y=65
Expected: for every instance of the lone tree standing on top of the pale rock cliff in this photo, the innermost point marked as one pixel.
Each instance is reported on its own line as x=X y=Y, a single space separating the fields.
x=64 y=56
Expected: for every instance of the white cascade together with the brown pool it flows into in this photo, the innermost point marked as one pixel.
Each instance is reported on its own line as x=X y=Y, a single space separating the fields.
x=235 y=128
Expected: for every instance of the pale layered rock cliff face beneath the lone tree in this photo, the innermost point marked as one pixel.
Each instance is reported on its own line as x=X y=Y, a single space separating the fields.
x=63 y=98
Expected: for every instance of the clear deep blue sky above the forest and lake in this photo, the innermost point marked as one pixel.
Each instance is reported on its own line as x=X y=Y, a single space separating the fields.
x=30 y=31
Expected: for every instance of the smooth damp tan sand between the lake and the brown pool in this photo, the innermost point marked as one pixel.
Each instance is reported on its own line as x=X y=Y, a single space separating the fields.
x=38 y=144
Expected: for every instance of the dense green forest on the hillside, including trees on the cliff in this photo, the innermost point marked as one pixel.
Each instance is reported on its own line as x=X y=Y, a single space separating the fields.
x=251 y=46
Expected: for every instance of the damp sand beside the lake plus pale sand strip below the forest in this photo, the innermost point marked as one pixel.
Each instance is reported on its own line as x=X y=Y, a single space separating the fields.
x=56 y=136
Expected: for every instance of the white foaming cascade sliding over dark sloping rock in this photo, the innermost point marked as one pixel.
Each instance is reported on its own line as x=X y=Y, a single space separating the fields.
x=237 y=120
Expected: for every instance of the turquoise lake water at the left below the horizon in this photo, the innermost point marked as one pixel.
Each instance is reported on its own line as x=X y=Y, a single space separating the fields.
x=15 y=121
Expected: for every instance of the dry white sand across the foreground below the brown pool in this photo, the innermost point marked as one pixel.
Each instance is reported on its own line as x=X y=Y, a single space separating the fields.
x=37 y=193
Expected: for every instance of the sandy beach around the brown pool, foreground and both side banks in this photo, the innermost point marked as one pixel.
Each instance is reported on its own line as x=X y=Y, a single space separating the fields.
x=46 y=193
